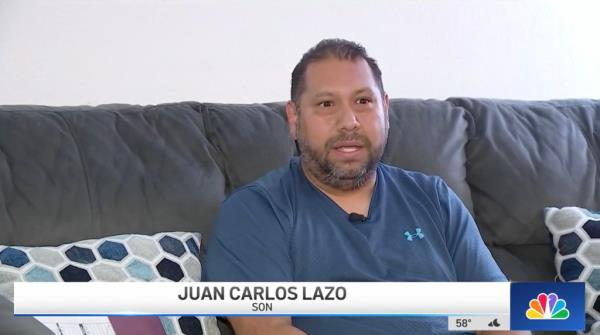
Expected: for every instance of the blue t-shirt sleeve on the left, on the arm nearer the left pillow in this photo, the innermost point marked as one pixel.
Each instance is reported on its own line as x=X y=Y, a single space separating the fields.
x=249 y=242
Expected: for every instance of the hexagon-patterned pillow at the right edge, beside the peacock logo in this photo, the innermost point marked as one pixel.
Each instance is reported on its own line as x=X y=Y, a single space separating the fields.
x=575 y=236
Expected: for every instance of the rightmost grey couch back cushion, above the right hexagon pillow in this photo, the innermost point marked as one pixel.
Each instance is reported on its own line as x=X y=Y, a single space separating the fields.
x=525 y=156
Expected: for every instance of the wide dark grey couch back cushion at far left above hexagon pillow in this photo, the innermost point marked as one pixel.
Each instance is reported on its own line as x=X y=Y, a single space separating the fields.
x=71 y=173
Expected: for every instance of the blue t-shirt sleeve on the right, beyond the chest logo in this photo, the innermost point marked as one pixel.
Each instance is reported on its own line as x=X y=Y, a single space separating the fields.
x=472 y=259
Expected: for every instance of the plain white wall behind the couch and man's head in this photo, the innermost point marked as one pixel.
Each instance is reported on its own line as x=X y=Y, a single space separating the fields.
x=71 y=52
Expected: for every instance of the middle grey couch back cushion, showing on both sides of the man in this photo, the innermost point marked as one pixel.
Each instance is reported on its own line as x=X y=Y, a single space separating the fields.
x=425 y=135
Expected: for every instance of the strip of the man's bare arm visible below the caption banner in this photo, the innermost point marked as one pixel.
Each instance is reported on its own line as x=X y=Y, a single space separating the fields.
x=261 y=325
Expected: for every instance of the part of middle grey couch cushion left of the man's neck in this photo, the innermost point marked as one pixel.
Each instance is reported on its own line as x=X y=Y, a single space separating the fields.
x=252 y=139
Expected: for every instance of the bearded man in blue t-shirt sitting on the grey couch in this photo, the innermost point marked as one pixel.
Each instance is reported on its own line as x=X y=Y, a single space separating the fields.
x=336 y=213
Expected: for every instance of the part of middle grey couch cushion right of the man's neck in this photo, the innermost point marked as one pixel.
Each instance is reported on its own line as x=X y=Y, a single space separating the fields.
x=430 y=136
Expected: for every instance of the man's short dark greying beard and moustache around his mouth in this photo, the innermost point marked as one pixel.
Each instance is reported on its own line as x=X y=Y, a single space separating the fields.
x=333 y=174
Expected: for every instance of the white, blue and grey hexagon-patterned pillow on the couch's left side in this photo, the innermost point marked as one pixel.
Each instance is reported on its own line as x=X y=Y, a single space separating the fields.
x=173 y=256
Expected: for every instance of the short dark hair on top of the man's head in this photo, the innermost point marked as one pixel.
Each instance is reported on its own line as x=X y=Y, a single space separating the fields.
x=338 y=48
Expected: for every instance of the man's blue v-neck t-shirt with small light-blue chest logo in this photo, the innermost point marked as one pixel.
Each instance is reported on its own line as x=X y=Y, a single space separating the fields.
x=282 y=228
